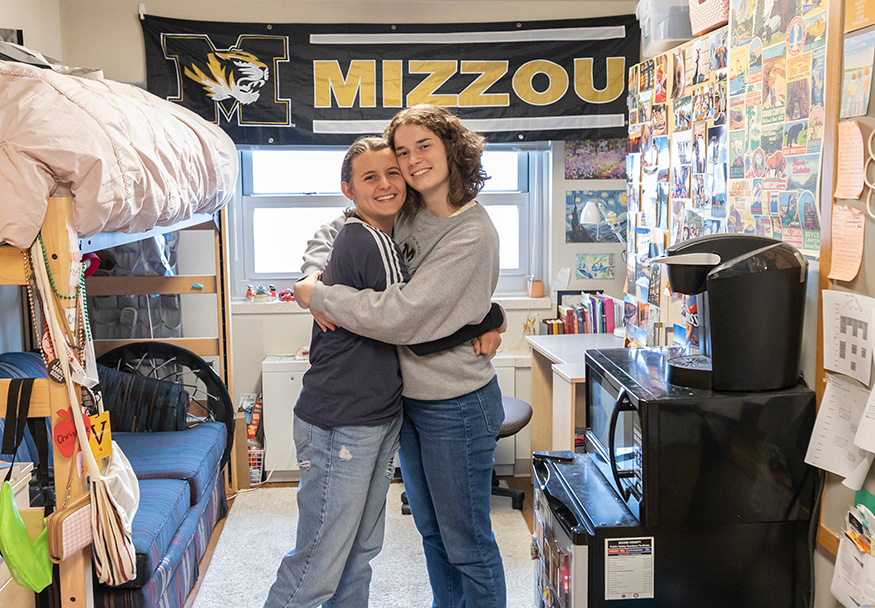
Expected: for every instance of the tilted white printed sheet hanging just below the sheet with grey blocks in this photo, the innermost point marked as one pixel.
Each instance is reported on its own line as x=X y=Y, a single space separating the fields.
x=832 y=441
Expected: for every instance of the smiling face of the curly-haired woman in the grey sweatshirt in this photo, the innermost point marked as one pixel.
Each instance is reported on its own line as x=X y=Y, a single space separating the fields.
x=422 y=157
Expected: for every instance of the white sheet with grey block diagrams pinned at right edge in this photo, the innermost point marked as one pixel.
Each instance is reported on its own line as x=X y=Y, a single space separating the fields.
x=847 y=334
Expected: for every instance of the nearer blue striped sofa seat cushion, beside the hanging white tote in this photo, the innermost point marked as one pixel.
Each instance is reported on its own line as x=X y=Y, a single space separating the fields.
x=164 y=503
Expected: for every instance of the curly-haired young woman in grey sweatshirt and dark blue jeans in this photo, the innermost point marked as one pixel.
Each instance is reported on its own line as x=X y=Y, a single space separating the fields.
x=452 y=403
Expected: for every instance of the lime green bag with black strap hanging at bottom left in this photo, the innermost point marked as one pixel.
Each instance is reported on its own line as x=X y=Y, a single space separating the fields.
x=28 y=561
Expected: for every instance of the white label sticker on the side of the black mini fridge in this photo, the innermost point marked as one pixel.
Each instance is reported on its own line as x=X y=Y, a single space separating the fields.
x=629 y=568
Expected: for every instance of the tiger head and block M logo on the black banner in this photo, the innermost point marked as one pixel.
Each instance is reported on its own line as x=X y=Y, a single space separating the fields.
x=238 y=83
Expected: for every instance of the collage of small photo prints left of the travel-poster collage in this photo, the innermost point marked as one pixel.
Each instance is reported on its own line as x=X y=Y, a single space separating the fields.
x=677 y=170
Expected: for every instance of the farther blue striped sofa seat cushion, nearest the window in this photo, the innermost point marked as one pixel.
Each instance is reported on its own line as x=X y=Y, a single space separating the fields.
x=192 y=455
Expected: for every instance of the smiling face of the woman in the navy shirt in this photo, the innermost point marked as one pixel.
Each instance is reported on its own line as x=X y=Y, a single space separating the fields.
x=376 y=187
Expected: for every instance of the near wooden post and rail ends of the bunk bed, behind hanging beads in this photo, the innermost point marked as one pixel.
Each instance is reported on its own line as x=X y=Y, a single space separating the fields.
x=49 y=397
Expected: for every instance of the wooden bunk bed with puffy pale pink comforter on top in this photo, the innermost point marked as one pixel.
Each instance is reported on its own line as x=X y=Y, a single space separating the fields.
x=86 y=164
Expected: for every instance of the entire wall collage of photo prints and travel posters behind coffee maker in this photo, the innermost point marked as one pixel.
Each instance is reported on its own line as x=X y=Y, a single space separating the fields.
x=725 y=135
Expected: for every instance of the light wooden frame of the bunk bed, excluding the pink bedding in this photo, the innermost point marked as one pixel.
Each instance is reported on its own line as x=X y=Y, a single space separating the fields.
x=50 y=397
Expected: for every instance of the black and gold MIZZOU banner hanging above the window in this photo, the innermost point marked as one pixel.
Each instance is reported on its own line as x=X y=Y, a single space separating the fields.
x=329 y=83
